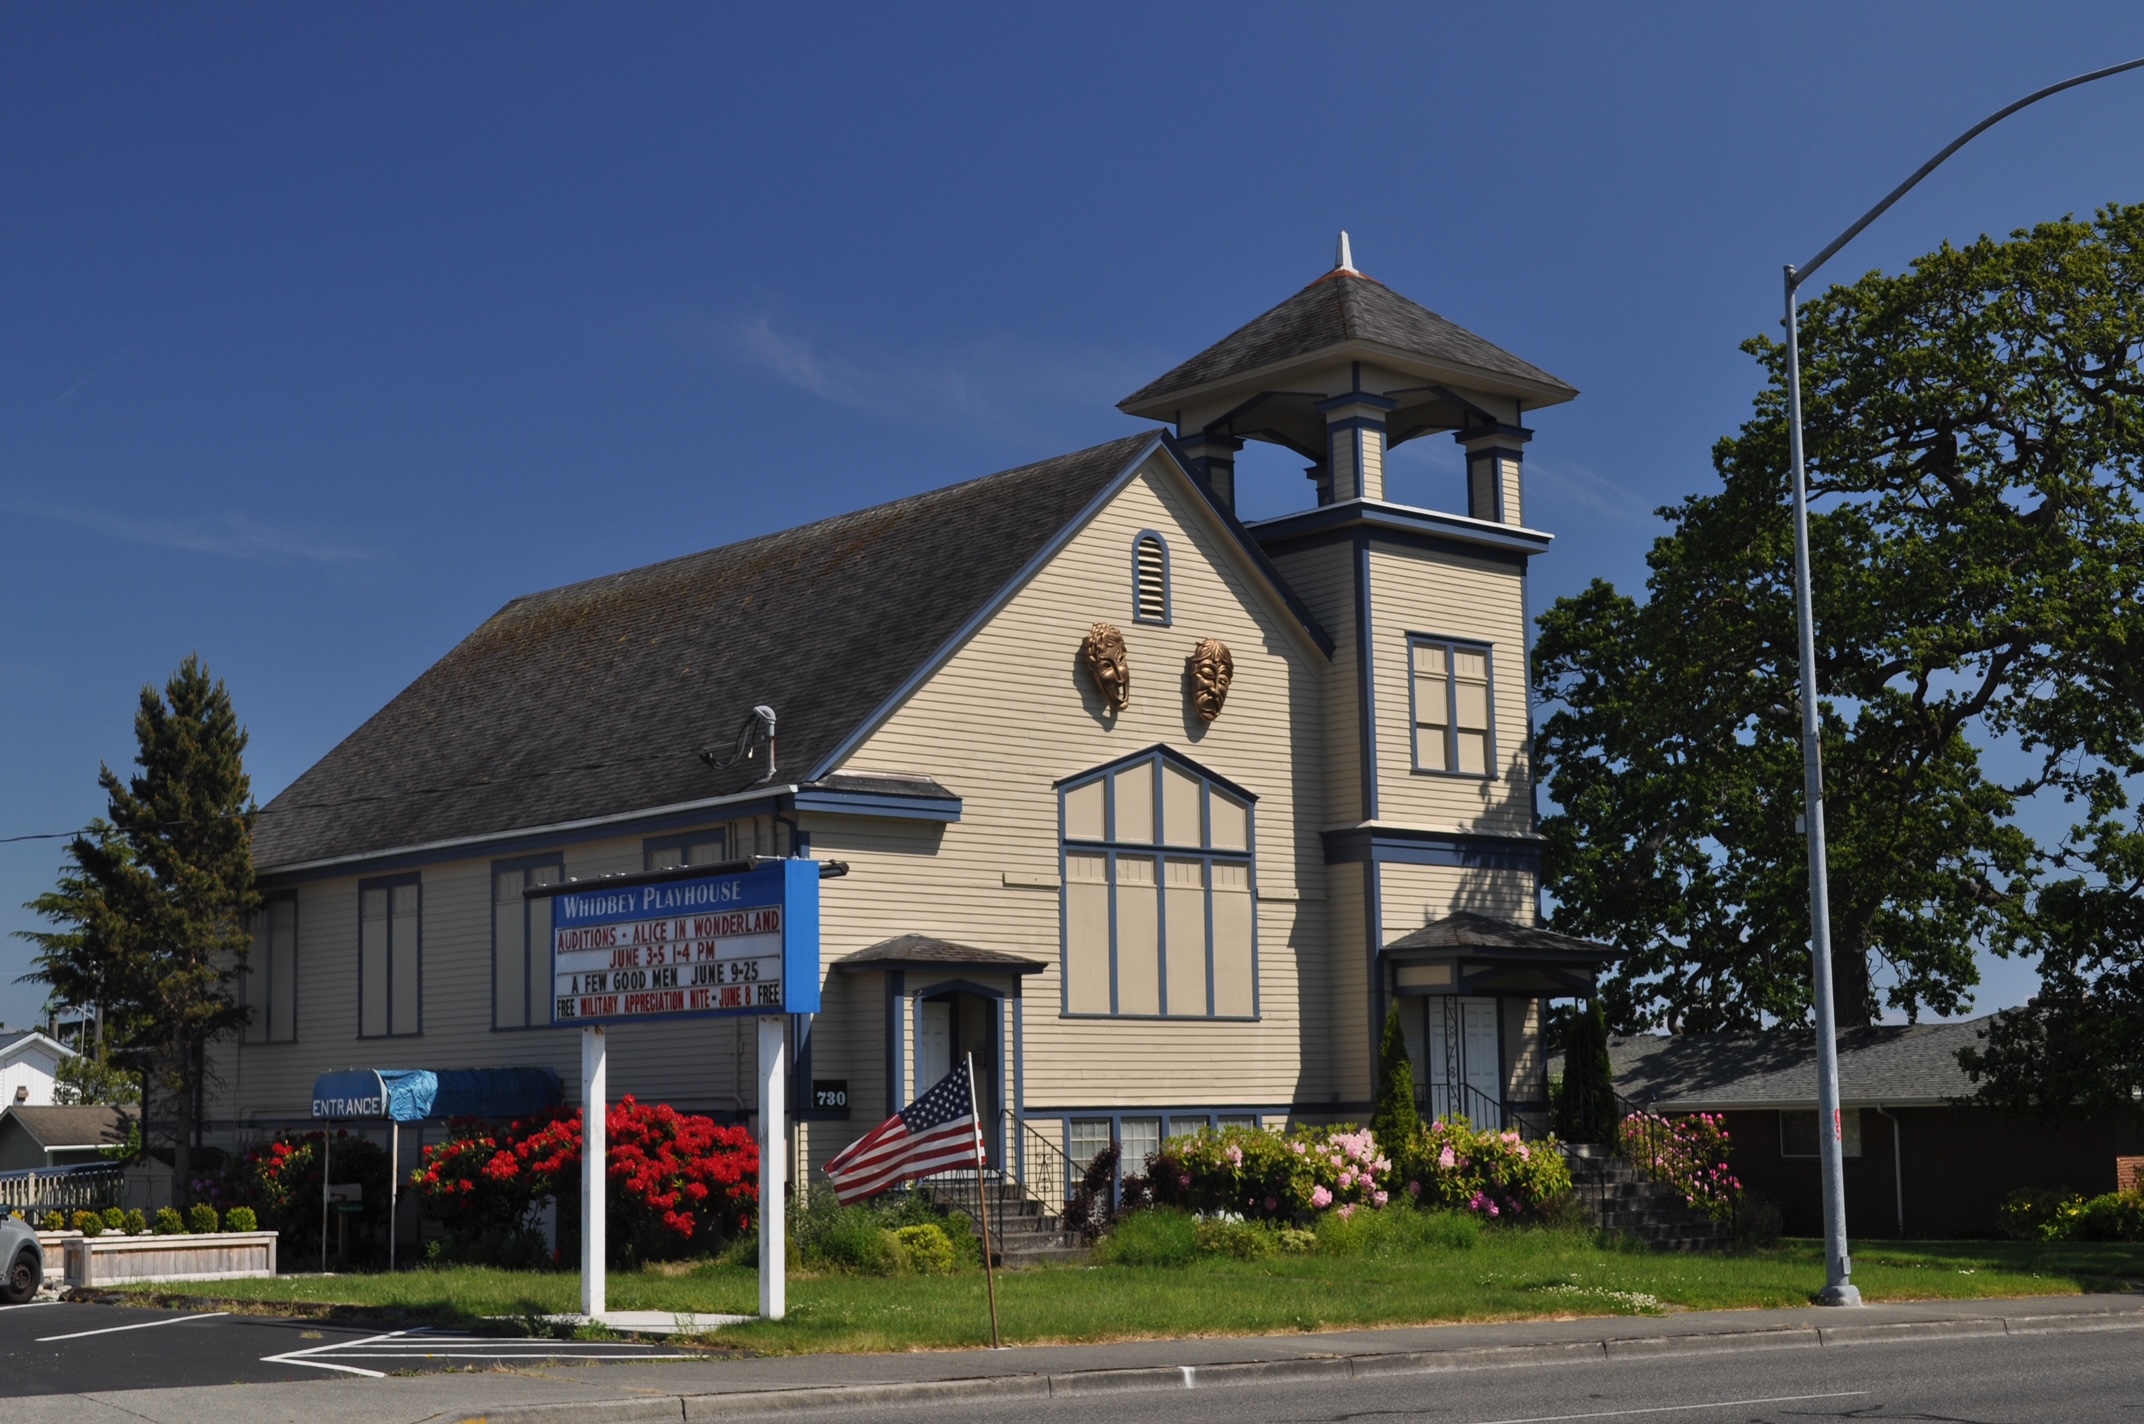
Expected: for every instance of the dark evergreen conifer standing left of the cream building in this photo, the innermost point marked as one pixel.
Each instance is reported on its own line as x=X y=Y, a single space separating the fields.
x=153 y=904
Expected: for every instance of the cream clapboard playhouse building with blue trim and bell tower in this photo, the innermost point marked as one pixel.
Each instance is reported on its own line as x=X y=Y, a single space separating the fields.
x=1135 y=917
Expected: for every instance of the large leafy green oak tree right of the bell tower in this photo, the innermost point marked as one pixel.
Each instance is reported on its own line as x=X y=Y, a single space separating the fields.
x=1976 y=430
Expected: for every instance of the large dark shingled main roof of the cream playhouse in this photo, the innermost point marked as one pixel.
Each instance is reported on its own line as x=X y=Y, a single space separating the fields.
x=593 y=700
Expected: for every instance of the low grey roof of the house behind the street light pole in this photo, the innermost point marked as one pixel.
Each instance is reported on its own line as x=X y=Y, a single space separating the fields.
x=1888 y=1063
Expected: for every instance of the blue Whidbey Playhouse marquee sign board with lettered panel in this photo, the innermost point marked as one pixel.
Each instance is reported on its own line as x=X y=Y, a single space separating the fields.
x=721 y=947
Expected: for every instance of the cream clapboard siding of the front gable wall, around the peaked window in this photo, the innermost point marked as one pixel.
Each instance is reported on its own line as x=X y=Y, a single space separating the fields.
x=1009 y=717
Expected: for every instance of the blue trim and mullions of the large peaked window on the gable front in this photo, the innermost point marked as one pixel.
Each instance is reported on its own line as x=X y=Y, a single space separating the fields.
x=1159 y=852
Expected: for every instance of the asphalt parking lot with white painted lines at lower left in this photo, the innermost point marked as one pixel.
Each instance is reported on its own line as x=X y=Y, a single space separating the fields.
x=76 y=1348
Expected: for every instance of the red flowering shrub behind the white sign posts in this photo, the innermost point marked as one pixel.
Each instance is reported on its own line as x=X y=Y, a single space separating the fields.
x=679 y=1183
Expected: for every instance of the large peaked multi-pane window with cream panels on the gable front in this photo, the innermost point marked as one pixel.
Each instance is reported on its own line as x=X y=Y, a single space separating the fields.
x=1157 y=904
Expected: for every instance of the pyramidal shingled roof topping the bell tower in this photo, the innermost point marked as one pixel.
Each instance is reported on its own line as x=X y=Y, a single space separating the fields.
x=1337 y=310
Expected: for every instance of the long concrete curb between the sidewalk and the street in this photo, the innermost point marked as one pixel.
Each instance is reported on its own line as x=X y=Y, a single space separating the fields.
x=689 y=1408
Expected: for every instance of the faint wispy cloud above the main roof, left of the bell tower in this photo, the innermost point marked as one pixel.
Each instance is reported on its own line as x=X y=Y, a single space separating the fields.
x=998 y=385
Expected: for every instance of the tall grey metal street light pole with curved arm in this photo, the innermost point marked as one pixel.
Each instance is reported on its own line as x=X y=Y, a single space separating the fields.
x=1838 y=1266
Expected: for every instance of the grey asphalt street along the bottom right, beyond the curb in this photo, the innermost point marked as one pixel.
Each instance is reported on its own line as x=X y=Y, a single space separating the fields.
x=2083 y=1378
